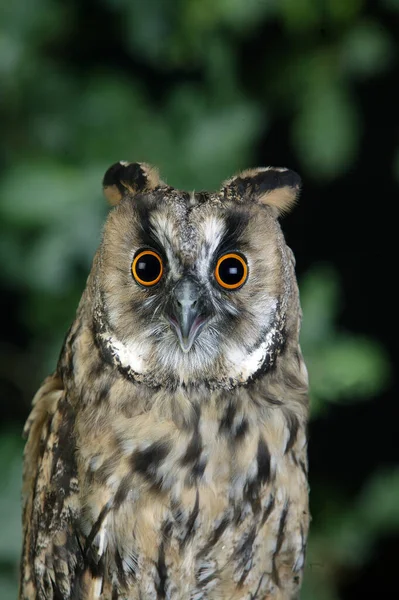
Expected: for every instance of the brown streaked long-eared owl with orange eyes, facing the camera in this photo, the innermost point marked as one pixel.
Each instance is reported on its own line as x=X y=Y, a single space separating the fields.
x=166 y=457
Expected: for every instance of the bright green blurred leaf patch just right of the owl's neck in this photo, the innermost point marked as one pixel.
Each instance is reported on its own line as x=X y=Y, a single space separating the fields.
x=342 y=367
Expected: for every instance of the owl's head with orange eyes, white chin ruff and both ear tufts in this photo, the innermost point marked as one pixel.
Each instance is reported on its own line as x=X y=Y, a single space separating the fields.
x=195 y=288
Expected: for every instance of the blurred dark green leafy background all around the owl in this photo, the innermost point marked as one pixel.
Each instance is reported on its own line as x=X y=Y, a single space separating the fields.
x=203 y=89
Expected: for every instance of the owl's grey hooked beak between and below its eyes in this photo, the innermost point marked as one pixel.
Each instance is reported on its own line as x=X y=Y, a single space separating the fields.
x=188 y=313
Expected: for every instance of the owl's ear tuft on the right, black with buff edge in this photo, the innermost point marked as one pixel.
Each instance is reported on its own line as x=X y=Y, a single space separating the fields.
x=272 y=186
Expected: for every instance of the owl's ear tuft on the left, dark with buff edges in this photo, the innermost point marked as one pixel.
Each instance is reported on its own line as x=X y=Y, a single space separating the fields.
x=128 y=179
